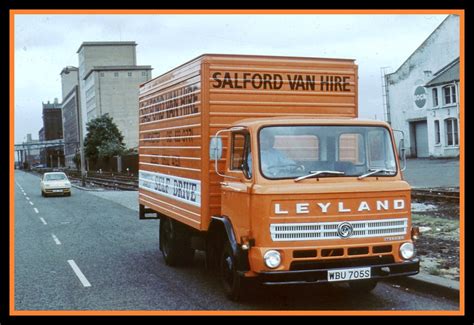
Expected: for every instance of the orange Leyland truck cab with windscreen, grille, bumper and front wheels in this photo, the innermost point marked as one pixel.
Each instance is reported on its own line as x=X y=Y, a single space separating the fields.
x=313 y=200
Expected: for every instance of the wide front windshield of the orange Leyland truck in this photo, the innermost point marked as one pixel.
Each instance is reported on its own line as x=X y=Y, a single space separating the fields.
x=339 y=151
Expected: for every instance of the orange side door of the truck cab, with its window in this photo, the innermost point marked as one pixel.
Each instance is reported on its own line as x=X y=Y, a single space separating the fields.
x=236 y=188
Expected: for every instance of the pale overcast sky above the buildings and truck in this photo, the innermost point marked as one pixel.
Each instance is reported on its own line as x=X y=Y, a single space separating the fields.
x=45 y=44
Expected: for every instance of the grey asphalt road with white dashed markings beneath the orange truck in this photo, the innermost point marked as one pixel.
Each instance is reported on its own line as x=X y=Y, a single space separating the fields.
x=87 y=253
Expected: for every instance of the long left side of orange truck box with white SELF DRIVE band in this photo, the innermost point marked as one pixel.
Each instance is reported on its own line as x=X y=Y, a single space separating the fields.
x=170 y=138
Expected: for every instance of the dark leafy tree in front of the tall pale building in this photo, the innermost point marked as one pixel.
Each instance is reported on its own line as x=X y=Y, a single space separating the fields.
x=103 y=139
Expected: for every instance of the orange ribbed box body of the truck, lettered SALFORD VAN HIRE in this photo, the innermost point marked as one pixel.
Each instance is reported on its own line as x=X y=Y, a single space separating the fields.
x=181 y=110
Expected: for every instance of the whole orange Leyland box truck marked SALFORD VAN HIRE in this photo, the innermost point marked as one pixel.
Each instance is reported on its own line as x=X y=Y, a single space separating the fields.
x=261 y=162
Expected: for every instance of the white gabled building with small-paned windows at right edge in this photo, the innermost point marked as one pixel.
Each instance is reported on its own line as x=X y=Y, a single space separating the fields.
x=422 y=96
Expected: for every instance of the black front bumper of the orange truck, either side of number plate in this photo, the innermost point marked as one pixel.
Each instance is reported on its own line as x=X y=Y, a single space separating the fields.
x=378 y=272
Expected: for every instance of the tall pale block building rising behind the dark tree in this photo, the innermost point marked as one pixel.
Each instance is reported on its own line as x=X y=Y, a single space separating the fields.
x=109 y=83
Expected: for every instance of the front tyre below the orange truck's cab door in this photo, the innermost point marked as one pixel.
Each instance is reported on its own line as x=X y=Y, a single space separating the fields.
x=232 y=283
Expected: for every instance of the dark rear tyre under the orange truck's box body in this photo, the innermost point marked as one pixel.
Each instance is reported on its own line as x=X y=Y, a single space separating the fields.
x=175 y=244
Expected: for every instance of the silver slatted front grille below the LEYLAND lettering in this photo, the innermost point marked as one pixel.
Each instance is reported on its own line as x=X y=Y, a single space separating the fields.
x=329 y=230
